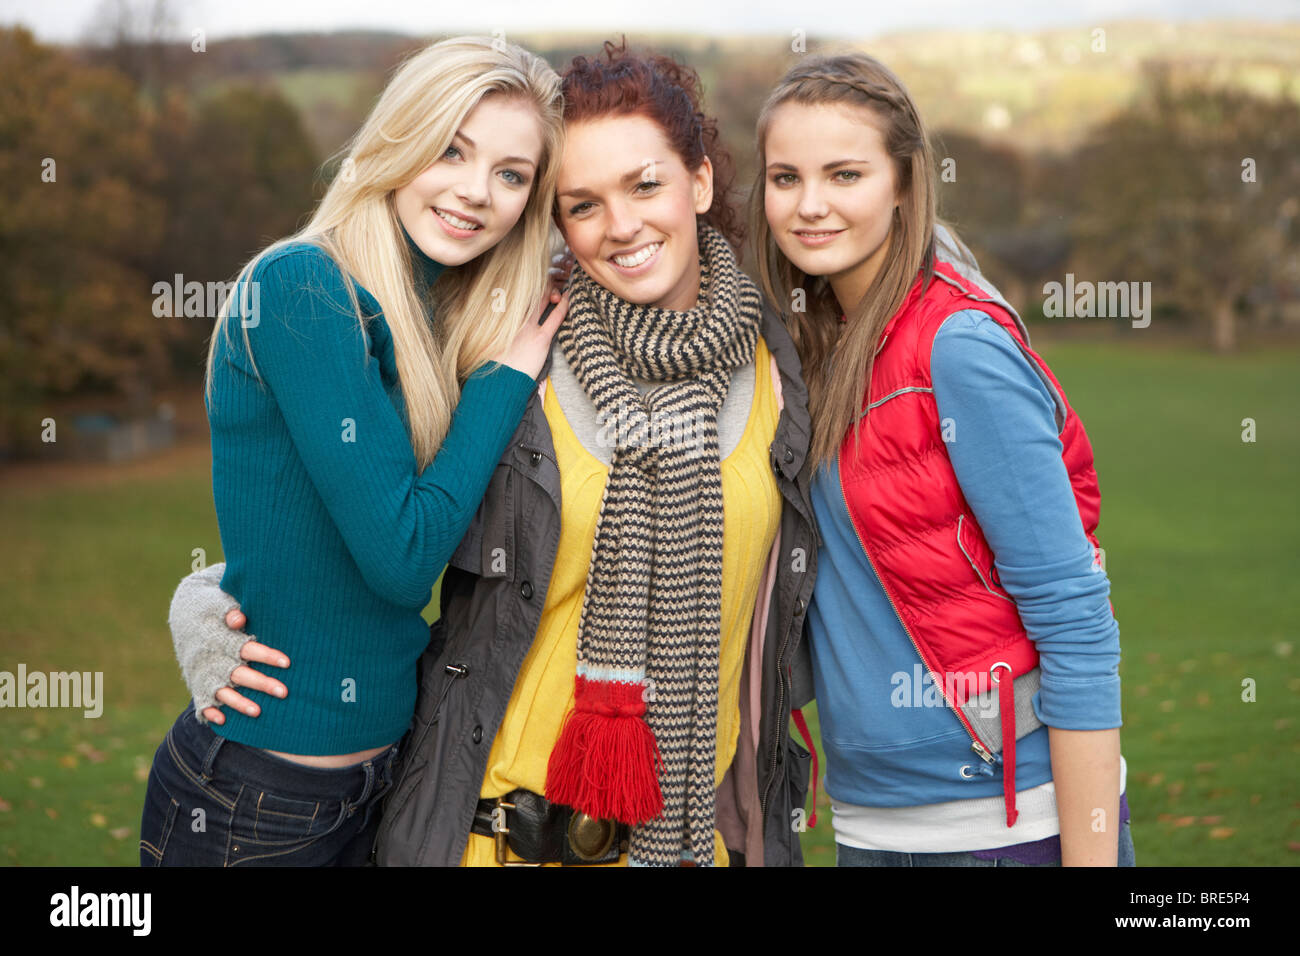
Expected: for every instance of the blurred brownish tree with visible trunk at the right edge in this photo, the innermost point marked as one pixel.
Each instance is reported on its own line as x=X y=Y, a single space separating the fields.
x=1195 y=189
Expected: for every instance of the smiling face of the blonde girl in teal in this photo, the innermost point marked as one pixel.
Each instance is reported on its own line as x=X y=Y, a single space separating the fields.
x=475 y=193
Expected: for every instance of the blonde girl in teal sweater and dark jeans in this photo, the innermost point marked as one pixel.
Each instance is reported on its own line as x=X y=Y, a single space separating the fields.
x=362 y=386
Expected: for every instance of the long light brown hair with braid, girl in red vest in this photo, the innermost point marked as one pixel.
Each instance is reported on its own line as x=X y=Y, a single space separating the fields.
x=835 y=401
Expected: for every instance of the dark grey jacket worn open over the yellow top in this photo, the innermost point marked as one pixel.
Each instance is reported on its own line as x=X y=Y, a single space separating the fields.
x=493 y=594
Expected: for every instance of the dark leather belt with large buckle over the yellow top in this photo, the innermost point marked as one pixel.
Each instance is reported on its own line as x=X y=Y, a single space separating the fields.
x=539 y=832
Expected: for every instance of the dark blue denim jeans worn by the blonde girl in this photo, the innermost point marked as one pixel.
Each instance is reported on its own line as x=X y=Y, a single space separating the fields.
x=218 y=803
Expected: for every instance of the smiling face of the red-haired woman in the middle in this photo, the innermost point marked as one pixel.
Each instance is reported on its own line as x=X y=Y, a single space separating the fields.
x=629 y=206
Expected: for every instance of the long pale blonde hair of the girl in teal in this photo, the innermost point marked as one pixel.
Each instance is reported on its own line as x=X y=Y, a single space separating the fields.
x=357 y=224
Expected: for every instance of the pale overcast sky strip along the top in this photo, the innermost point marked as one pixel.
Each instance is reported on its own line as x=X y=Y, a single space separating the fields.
x=67 y=20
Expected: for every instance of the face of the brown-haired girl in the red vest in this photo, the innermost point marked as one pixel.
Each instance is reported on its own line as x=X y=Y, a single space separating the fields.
x=830 y=194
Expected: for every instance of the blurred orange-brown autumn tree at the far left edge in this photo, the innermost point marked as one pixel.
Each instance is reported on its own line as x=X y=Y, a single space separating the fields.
x=77 y=220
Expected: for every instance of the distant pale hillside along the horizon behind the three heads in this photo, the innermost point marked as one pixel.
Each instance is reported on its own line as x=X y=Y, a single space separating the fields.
x=1037 y=90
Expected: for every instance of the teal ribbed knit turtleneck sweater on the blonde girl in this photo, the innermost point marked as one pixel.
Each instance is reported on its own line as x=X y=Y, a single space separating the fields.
x=333 y=538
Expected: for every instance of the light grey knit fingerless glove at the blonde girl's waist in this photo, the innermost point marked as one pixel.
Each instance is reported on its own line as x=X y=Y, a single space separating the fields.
x=207 y=651
